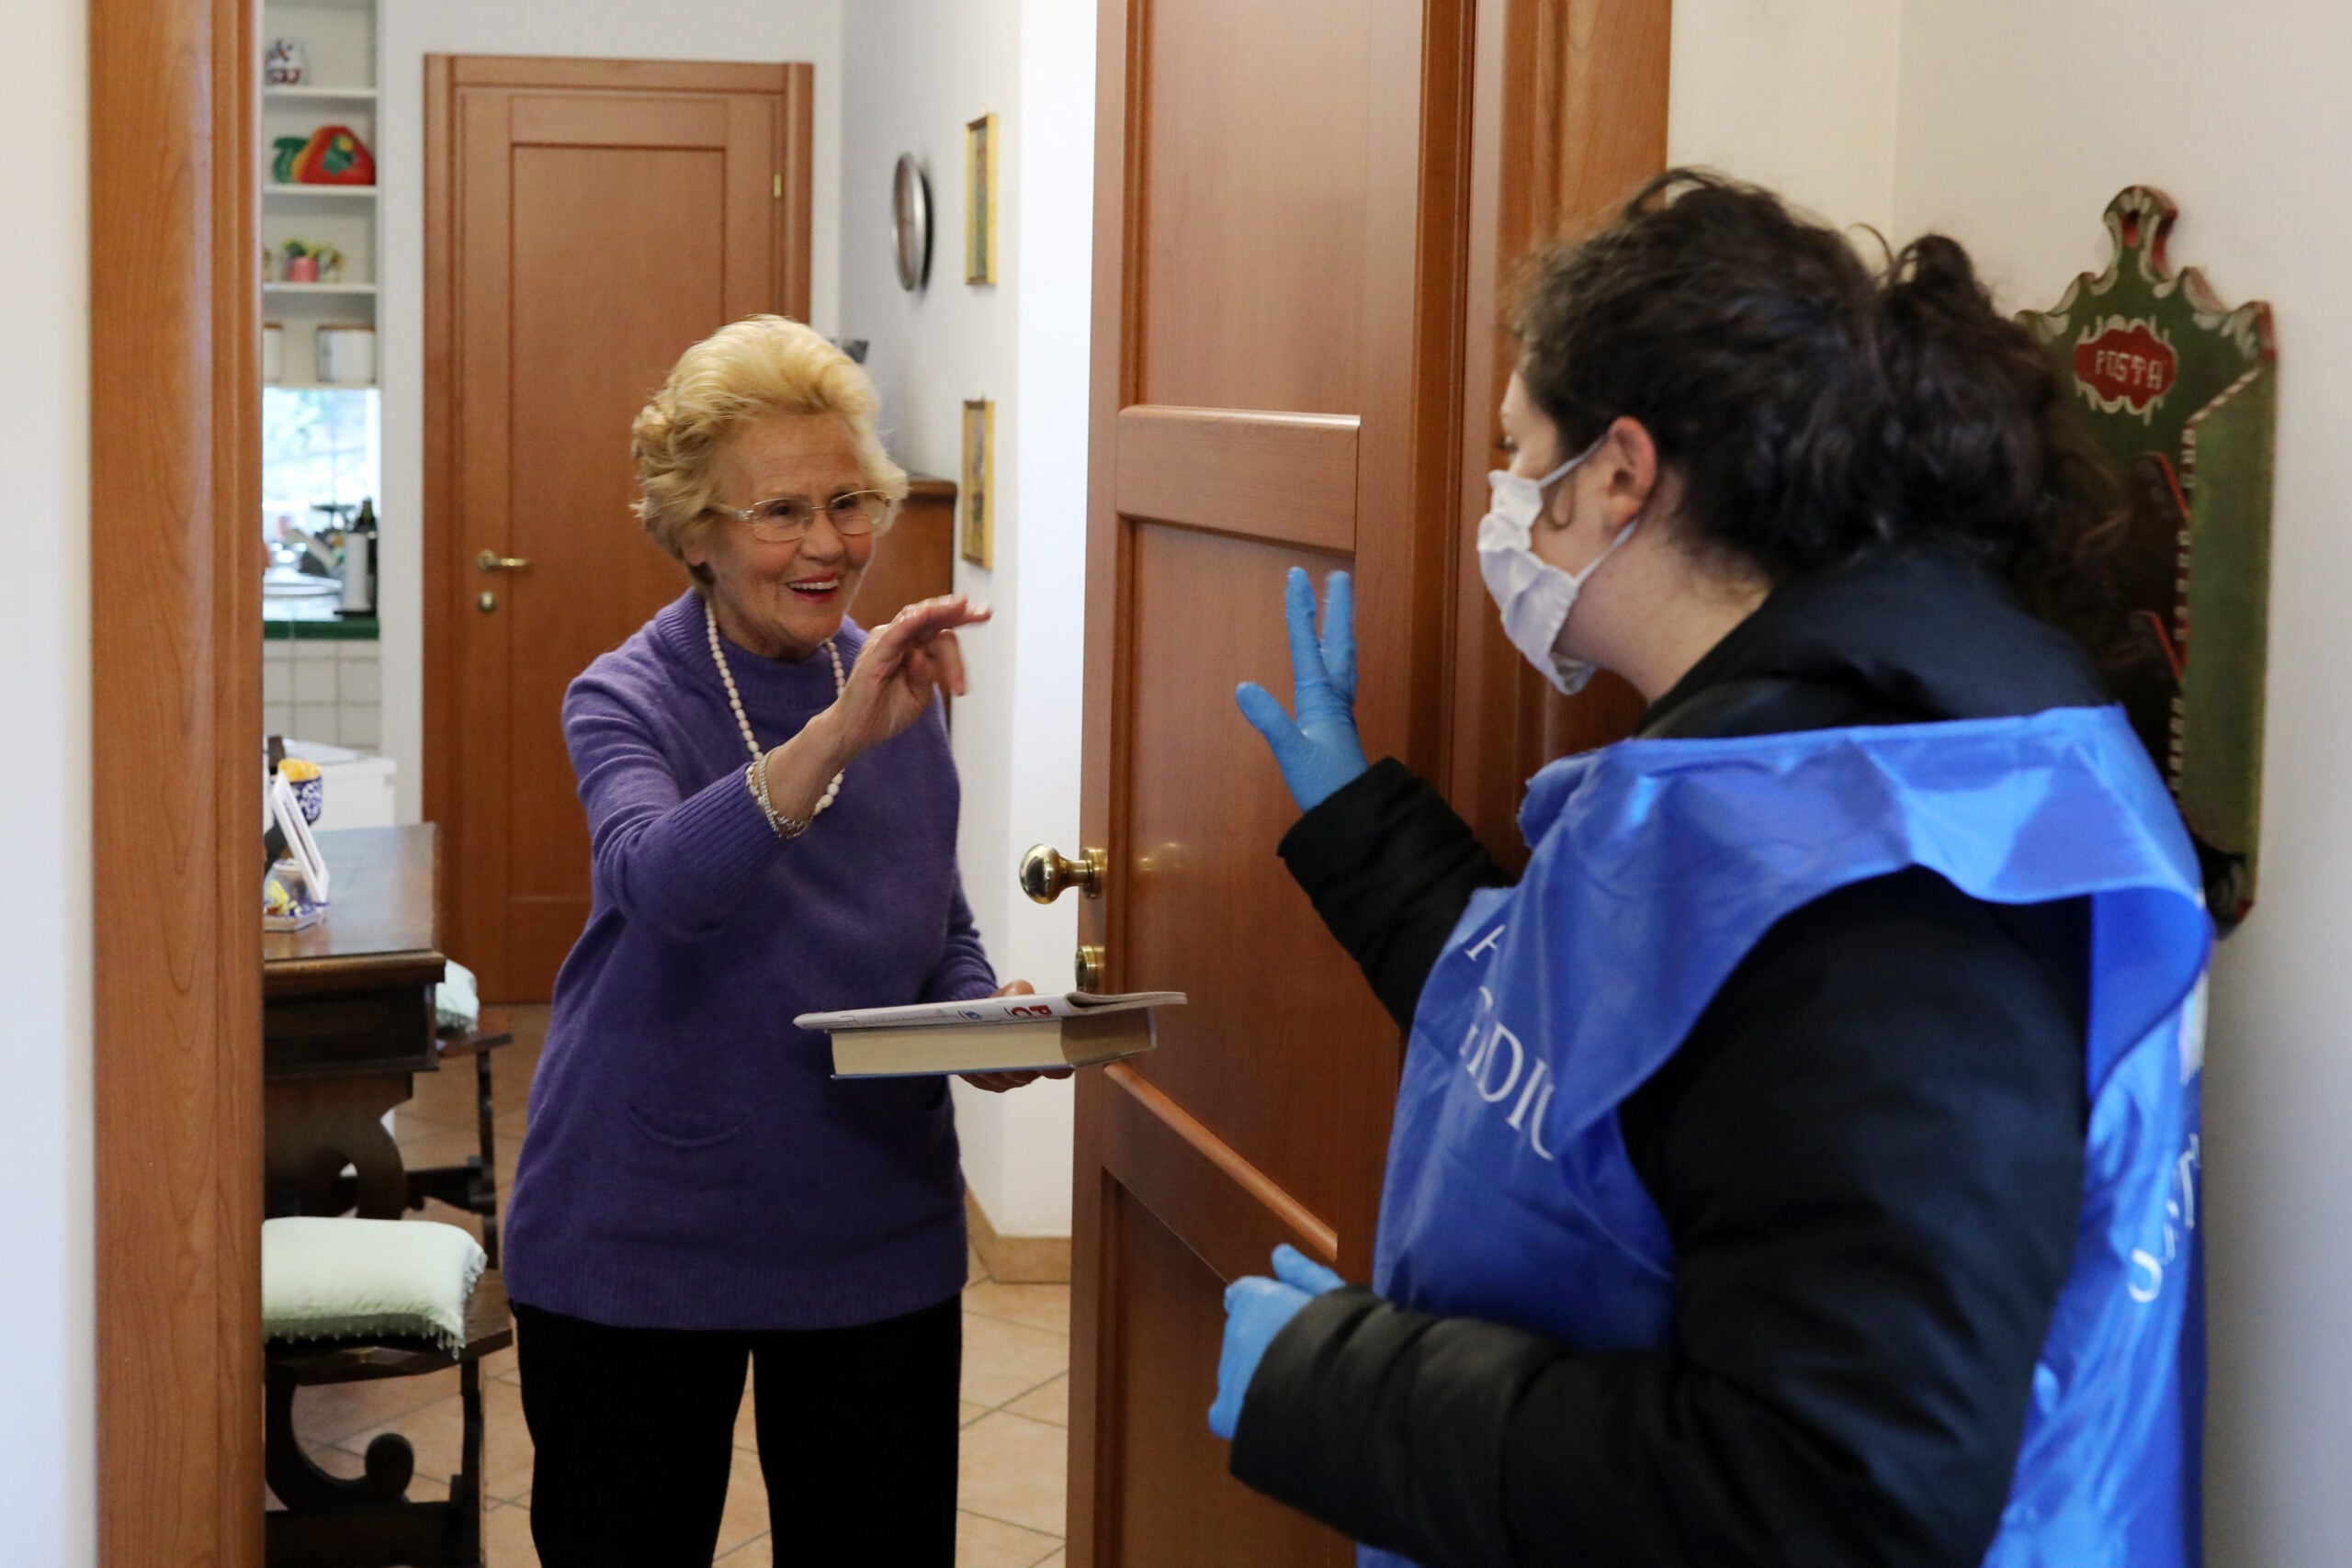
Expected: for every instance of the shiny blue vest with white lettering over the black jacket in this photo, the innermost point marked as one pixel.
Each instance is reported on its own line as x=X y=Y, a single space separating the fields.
x=1659 y=864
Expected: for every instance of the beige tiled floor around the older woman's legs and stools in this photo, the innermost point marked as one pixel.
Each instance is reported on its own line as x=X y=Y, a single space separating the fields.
x=1017 y=1388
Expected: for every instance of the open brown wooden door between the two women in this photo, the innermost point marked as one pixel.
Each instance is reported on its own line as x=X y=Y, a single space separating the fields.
x=1278 y=236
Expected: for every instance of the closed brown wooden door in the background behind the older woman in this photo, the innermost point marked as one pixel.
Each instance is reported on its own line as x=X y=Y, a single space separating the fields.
x=587 y=222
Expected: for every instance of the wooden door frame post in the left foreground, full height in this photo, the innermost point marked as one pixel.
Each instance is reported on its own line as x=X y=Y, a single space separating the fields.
x=175 y=575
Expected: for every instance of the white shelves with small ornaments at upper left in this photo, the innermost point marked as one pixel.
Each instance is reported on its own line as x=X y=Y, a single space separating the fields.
x=340 y=88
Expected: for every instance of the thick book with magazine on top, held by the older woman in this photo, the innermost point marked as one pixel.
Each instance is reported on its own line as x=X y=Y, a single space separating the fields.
x=991 y=1036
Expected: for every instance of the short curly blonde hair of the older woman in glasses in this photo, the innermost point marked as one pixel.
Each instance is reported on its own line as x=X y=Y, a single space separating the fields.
x=742 y=373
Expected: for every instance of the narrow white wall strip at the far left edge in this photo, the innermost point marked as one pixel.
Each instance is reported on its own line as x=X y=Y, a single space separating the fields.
x=48 y=1416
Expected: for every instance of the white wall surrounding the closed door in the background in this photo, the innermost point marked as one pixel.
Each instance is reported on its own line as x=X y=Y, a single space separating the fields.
x=587 y=29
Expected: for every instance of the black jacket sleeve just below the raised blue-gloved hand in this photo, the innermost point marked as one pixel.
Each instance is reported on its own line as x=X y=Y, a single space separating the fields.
x=1391 y=871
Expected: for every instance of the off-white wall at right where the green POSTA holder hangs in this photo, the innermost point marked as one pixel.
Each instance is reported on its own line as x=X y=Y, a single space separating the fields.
x=2017 y=123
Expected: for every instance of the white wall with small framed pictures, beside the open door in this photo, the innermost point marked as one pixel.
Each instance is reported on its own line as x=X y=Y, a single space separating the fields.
x=916 y=74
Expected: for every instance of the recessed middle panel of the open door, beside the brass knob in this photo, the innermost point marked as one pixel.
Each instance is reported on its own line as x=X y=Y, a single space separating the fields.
x=1250 y=1057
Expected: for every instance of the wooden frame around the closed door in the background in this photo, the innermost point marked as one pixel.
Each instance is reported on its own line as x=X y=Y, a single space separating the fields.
x=446 y=551
